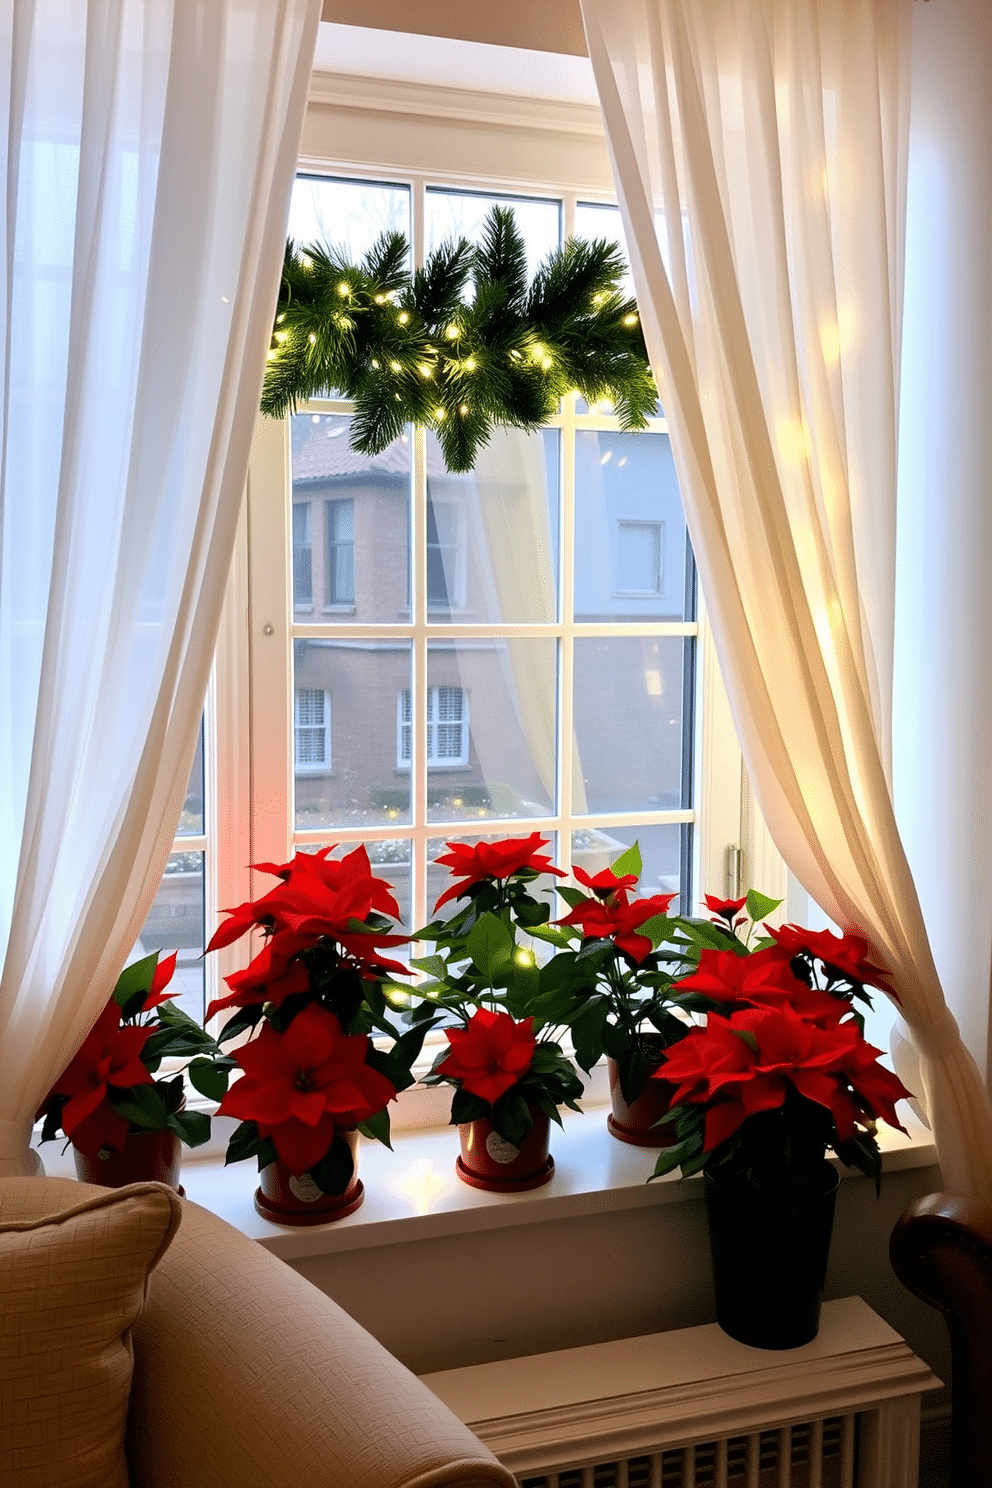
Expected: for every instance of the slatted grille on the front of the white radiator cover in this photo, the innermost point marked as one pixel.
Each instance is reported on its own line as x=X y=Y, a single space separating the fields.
x=807 y=1455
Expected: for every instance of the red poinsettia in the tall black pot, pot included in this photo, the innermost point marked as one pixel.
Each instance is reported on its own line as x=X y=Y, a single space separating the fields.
x=777 y=1077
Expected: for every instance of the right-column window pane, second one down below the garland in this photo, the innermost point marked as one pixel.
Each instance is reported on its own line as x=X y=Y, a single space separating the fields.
x=630 y=724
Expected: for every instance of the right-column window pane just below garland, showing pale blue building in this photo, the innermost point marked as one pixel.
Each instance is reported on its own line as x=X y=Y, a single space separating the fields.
x=630 y=529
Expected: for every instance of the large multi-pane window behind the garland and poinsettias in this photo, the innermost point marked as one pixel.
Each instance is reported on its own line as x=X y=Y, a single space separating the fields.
x=509 y=650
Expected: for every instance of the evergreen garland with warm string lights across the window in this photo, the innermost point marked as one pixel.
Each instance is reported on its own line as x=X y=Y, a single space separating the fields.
x=419 y=352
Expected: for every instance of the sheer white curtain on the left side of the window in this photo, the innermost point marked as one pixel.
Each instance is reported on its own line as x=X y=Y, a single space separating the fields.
x=151 y=148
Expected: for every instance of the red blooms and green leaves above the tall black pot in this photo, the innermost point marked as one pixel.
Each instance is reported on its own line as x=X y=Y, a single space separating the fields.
x=780 y=1072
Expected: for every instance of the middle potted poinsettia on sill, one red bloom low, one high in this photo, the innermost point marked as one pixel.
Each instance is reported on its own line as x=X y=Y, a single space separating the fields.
x=503 y=1056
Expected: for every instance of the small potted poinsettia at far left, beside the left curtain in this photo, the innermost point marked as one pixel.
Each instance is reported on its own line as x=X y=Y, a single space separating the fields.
x=124 y=1124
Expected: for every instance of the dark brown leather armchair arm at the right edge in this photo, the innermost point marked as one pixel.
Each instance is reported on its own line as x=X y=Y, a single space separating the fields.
x=942 y=1251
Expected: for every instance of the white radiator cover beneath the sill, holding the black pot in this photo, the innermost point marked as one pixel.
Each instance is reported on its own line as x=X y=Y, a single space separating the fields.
x=697 y=1410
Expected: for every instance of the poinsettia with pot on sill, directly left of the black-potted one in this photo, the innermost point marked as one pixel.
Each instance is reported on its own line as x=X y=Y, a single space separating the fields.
x=624 y=974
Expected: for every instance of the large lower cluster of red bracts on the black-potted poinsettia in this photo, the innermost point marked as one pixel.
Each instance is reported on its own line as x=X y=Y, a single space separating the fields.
x=747 y=1063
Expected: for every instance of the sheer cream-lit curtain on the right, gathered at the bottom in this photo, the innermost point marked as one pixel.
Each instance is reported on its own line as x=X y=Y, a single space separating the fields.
x=773 y=136
